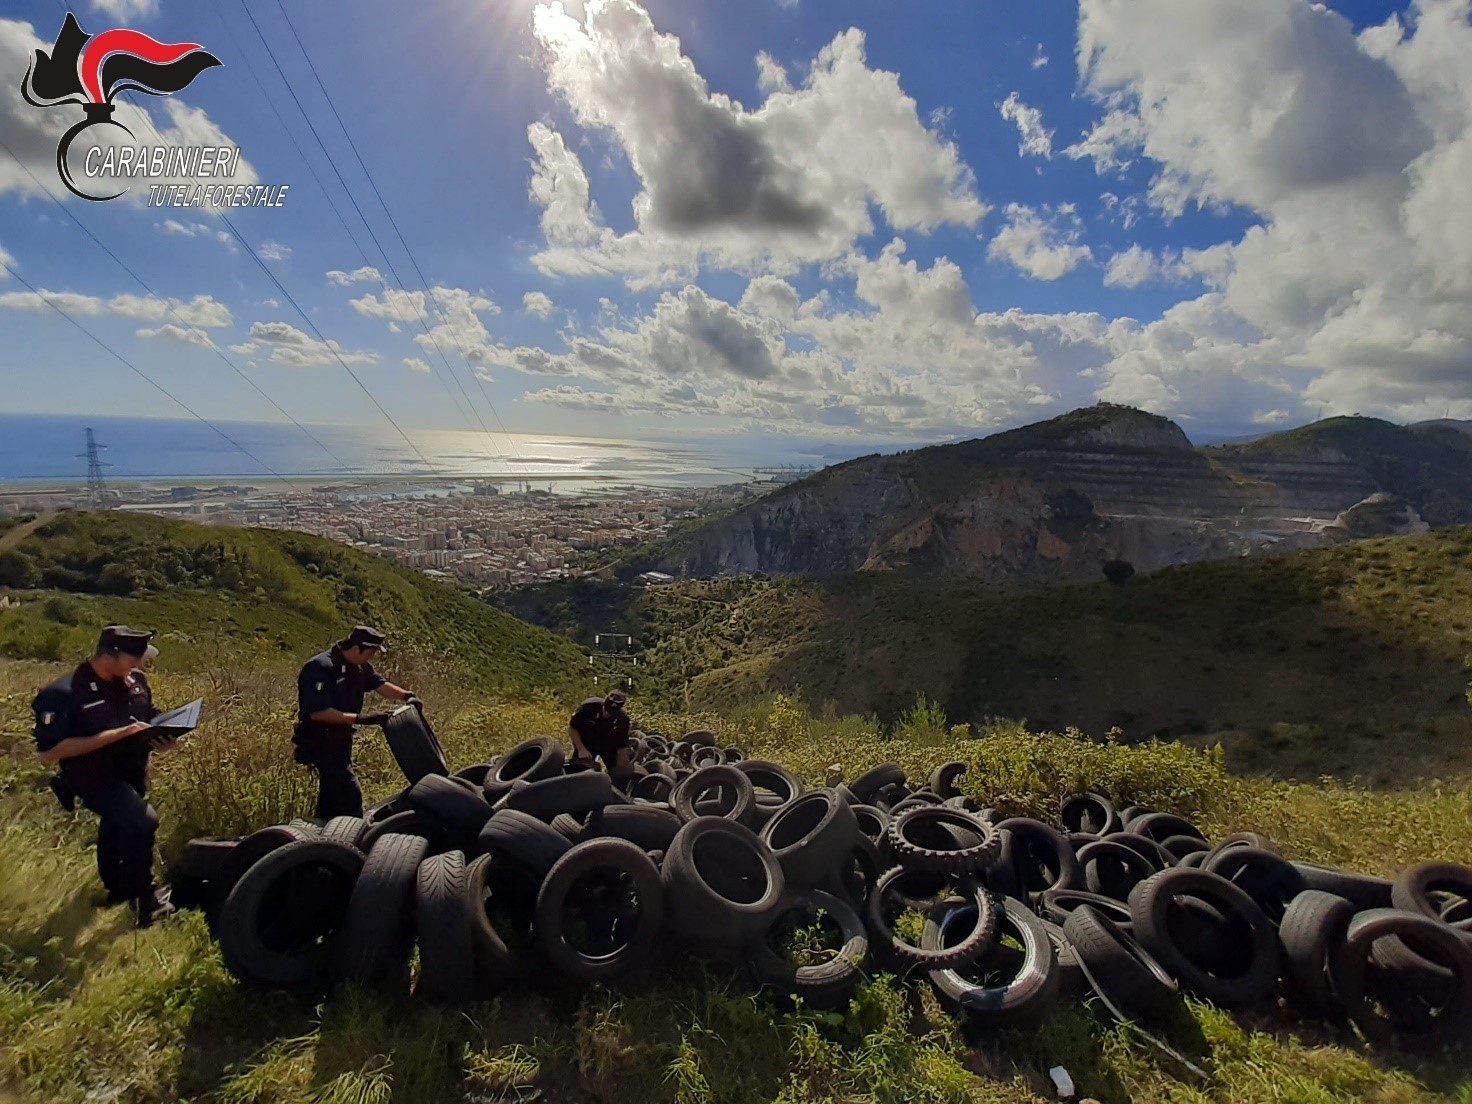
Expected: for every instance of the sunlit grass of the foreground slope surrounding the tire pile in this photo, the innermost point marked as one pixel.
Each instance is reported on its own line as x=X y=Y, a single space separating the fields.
x=92 y=1011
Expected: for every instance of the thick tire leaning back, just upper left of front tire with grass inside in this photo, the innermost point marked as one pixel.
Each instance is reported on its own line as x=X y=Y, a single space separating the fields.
x=722 y=882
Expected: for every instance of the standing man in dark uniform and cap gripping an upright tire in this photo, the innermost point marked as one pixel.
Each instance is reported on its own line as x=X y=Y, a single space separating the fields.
x=330 y=698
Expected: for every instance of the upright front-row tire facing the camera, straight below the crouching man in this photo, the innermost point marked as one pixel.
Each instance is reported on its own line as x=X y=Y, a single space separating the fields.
x=638 y=874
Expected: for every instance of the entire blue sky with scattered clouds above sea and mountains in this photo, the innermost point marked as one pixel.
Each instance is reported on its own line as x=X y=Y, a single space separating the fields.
x=824 y=220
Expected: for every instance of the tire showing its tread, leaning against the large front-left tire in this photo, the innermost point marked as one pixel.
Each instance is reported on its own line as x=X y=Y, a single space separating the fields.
x=378 y=937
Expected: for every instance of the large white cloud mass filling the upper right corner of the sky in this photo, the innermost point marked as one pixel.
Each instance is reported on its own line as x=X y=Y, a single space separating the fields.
x=1352 y=151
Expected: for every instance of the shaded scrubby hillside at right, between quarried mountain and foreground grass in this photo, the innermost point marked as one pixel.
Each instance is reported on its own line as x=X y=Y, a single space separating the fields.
x=1346 y=660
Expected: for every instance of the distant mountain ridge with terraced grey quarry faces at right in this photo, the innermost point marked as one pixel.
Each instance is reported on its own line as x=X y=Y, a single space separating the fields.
x=1056 y=500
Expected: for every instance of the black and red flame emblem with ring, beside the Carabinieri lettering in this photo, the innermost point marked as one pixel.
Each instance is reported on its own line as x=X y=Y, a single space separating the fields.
x=92 y=70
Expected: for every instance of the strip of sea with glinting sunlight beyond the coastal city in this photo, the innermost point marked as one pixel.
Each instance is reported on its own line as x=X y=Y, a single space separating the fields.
x=42 y=450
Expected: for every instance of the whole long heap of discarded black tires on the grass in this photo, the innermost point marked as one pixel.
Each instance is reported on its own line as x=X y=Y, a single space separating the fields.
x=528 y=868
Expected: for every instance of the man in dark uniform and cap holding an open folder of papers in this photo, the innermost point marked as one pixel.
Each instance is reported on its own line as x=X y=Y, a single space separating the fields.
x=91 y=723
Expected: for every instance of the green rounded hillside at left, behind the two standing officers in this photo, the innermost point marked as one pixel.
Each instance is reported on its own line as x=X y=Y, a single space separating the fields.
x=250 y=598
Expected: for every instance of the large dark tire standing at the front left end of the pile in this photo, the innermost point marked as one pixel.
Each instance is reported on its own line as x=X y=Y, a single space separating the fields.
x=277 y=924
